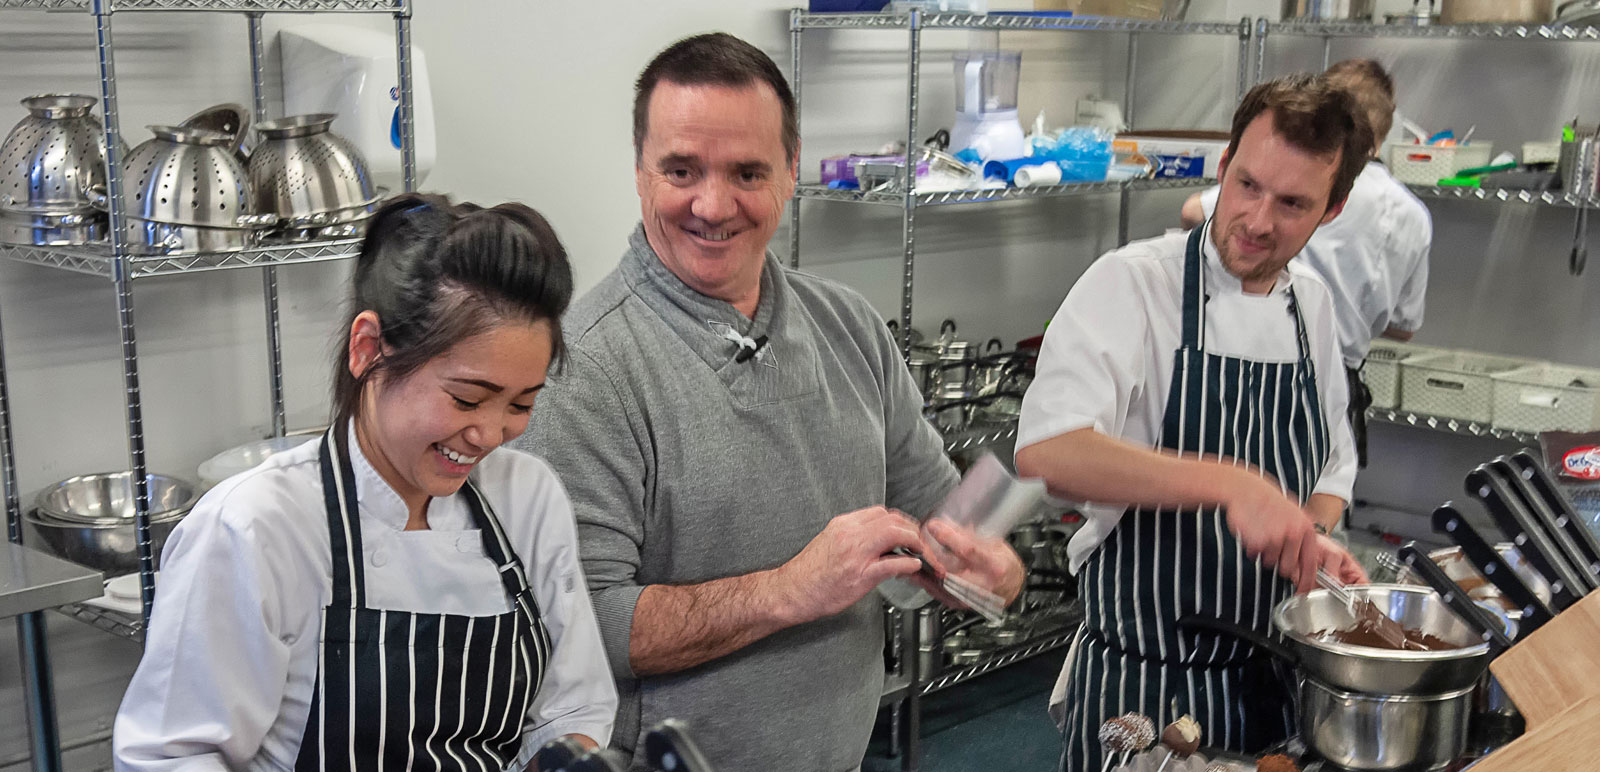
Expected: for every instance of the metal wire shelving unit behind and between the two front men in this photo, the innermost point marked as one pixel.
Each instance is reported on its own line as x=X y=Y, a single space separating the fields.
x=905 y=691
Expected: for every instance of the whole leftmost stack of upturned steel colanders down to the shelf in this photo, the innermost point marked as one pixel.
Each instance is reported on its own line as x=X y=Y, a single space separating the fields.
x=50 y=164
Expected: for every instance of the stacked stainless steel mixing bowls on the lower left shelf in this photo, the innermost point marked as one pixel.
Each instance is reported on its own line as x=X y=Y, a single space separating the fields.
x=90 y=520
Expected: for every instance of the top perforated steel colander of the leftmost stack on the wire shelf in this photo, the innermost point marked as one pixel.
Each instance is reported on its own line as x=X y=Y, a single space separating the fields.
x=54 y=158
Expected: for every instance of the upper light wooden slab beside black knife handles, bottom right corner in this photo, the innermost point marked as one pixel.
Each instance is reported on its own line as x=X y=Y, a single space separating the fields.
x=1556 y=667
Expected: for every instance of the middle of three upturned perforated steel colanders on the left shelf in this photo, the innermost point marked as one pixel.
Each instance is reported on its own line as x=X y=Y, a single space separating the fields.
x=186 y=193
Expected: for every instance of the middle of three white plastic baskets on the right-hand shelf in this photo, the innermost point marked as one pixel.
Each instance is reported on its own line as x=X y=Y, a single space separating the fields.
x=1454 y=385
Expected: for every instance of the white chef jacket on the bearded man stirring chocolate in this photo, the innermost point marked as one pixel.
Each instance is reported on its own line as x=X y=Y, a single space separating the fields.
x=1108 y=356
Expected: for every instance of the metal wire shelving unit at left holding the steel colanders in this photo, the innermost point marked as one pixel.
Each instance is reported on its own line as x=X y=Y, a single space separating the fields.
x=122 y=267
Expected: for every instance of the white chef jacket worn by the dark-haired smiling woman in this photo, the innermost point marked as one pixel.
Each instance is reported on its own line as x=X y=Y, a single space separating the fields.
x=231 y=653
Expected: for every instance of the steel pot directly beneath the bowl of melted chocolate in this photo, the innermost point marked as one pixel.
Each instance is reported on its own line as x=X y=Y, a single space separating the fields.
x=1385 y=733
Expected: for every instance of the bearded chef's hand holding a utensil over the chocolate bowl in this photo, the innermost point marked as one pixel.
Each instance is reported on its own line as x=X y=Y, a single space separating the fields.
x=1274 y=529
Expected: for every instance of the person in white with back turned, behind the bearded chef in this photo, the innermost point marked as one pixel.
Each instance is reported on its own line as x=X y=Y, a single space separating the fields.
x=1374 y=255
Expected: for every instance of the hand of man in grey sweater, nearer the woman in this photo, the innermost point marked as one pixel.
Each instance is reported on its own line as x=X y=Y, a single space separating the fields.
x=846 y=563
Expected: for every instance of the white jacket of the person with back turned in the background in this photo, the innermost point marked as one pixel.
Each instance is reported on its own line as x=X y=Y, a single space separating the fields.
x=1374 y=259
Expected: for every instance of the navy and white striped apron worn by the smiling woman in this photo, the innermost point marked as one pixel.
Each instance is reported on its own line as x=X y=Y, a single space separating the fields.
x=418 y=691
